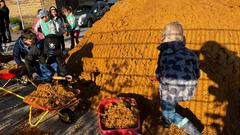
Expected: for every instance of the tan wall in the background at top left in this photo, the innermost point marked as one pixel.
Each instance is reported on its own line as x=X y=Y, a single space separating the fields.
x=28 y=9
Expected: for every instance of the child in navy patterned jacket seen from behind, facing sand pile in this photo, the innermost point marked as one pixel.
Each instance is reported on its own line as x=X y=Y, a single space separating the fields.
x=178 y=72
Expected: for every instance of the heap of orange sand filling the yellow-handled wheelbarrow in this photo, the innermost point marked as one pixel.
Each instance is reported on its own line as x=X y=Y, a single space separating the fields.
x=51 y=97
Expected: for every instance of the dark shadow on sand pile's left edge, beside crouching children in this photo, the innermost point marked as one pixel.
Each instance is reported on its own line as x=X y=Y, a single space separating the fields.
x=75 y=63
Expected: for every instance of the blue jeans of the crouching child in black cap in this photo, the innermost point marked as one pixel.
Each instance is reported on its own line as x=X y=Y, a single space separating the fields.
x=46 y=71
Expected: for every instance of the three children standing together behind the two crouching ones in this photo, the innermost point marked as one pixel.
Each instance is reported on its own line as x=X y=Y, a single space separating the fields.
x=50 y=22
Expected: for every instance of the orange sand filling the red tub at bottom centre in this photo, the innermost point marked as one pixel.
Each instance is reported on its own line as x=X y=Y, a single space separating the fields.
x=120 y=115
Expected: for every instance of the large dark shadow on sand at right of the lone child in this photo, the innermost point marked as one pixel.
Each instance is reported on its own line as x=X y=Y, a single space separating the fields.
x=223 y=67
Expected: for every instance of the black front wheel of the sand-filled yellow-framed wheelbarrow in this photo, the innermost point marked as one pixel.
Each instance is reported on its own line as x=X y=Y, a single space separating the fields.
x=66 y=115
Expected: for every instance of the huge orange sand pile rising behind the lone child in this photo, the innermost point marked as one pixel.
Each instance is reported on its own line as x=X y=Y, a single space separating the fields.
x=119 y=53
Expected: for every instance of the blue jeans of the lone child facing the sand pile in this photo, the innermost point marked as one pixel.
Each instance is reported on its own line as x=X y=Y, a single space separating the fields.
x=169 y=112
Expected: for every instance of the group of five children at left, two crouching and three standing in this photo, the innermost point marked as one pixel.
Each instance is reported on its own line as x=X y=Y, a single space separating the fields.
x=42 y=54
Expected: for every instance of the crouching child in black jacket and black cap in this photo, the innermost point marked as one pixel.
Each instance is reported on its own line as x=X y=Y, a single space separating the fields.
x=45 y=59
